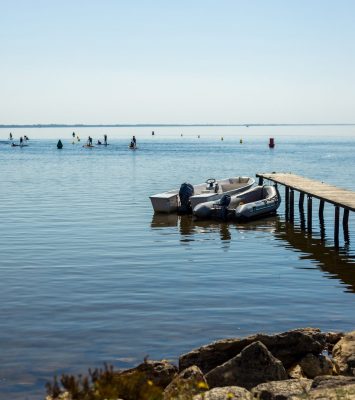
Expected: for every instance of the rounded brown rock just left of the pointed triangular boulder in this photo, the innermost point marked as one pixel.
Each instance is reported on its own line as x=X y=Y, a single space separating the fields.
x=187 y=384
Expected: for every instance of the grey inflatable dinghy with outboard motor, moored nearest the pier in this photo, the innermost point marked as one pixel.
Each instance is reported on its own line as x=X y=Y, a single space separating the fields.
x=258 y=201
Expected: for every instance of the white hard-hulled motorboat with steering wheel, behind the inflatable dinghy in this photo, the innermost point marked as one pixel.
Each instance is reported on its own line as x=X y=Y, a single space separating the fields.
x=188 y=196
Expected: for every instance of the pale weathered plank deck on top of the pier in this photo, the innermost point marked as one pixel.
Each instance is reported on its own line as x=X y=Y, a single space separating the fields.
x=339 y=197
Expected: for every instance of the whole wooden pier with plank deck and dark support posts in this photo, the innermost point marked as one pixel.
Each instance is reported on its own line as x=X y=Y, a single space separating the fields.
x=340 y=198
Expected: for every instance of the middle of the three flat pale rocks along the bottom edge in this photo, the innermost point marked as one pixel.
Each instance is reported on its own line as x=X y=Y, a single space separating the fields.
x=281 y=390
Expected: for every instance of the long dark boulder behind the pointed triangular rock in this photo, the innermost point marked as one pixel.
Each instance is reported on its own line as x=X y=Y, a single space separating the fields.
x=289 y=347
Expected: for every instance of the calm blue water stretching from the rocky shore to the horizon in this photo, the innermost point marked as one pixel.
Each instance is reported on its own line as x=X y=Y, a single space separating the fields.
x=90 y=275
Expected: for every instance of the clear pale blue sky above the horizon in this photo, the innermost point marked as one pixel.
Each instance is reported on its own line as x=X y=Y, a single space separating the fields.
x=182 y=61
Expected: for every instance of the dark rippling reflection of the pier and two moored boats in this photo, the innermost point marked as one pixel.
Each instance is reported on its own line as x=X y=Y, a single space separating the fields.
x=334 y=262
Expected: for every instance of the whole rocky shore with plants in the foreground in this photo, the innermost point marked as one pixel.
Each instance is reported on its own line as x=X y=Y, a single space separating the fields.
x=298 y=364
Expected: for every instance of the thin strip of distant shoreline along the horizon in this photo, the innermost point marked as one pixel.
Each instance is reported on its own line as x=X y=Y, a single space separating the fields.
x=3 y=126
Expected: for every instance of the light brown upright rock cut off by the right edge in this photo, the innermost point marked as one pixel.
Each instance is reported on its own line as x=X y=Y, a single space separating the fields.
x=344 y=354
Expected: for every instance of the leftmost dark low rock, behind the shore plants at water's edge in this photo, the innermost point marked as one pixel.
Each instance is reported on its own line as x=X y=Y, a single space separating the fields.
x=160 y=373
